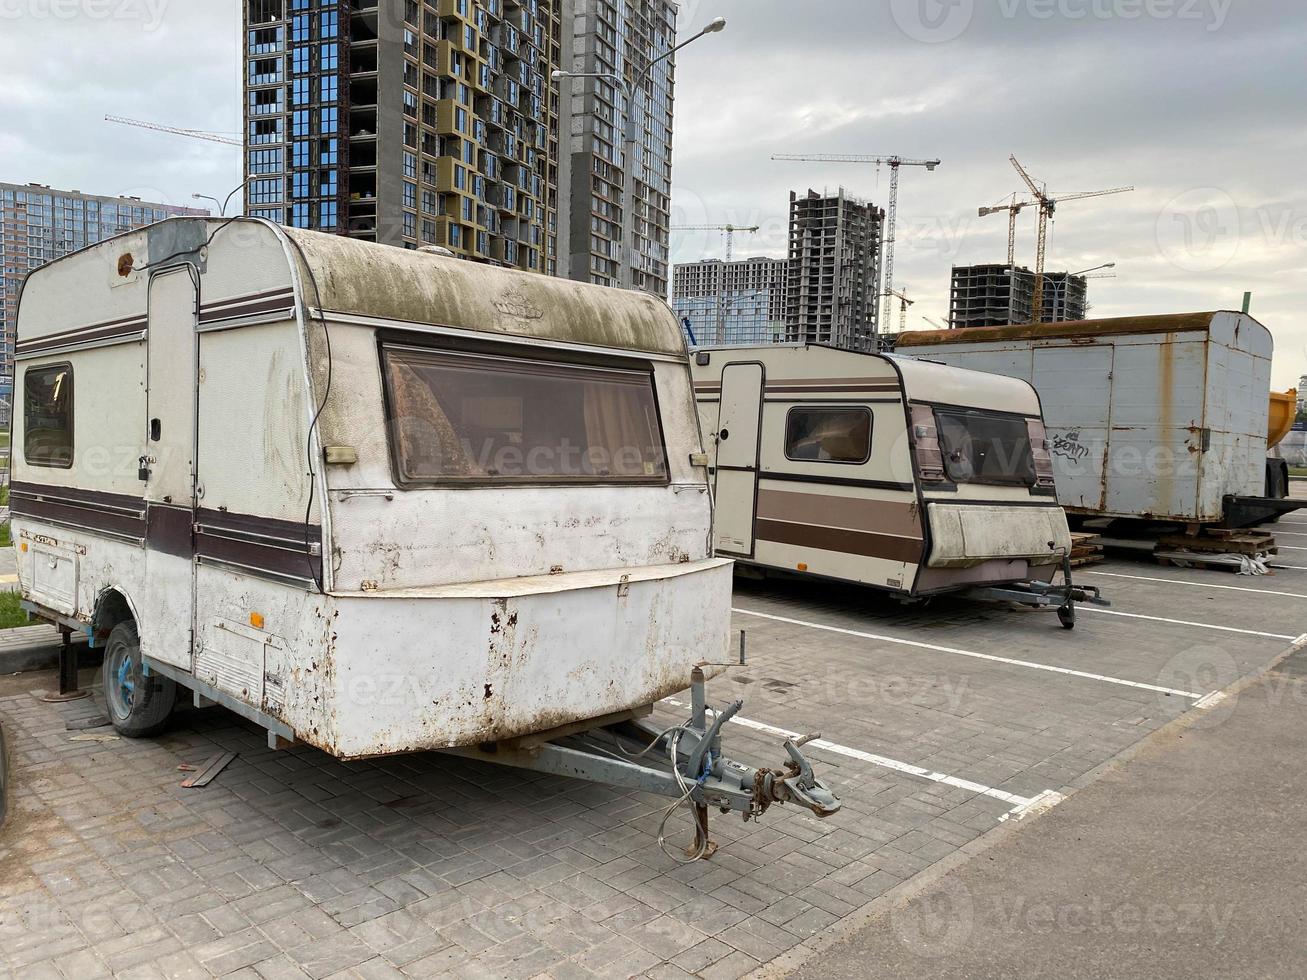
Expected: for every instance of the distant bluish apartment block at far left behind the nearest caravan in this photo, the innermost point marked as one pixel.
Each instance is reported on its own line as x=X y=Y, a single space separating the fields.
x=40 y=225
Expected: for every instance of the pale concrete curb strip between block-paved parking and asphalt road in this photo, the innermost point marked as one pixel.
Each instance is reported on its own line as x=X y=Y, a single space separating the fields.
x=793 y=960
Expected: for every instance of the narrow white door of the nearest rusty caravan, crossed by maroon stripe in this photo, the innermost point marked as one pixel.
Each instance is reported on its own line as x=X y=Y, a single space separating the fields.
x=168 y=468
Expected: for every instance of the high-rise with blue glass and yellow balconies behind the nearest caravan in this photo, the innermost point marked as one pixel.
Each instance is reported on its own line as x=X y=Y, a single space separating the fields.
x=408 y=122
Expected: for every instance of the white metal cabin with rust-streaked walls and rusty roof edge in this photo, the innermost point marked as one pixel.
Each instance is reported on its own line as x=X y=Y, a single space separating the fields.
x=1151 y=417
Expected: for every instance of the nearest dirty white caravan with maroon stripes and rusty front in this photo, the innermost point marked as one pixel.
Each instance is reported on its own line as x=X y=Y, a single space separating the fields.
x=377 y=501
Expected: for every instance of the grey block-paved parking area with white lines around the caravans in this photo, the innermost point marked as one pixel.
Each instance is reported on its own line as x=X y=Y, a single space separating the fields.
x=942 y=726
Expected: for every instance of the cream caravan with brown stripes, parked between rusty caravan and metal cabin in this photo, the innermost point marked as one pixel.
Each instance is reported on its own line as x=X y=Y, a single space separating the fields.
x=891 y=472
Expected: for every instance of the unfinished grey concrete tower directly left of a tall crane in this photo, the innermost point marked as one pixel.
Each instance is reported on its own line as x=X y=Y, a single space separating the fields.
x=835 y=271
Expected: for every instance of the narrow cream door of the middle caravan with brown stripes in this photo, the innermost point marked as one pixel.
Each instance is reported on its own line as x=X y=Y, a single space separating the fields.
x=739 y=431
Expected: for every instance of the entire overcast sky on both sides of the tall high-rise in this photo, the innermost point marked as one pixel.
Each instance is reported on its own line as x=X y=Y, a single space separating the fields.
x=1198 y=104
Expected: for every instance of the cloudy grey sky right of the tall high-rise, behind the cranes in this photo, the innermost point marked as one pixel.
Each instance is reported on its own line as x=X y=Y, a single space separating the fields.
x=1176 y=97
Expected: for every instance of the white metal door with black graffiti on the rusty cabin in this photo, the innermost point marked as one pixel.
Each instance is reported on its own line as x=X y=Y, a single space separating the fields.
x=1079 y=420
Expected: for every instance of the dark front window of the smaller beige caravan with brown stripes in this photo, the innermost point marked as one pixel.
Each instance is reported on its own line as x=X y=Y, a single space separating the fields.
x=981 y=448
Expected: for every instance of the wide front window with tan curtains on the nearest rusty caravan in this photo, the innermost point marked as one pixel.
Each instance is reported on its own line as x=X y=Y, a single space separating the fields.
x=471 y=419
